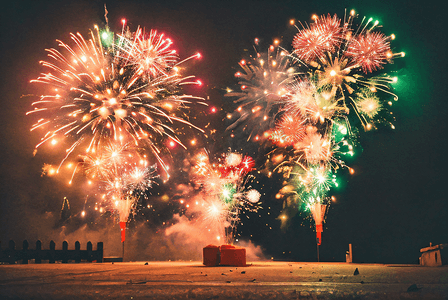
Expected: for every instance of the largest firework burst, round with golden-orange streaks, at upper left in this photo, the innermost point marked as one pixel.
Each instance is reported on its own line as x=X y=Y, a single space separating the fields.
x=113 y=87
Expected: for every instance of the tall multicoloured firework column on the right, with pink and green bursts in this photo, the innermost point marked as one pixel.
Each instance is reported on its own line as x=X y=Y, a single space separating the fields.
x=326 y=86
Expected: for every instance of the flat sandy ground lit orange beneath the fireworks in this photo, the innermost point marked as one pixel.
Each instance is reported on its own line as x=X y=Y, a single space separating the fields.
x=192 y=280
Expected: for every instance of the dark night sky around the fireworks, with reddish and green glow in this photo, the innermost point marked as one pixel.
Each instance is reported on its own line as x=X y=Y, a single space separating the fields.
x=394 y=205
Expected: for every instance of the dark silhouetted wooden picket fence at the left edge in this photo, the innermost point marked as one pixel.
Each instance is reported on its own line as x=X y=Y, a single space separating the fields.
x=11 y=255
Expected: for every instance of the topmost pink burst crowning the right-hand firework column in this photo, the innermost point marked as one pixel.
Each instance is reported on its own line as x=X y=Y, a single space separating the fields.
x=322 y=36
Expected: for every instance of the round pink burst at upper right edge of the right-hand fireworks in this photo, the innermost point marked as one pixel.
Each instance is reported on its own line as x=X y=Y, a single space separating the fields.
x=370 y=51
